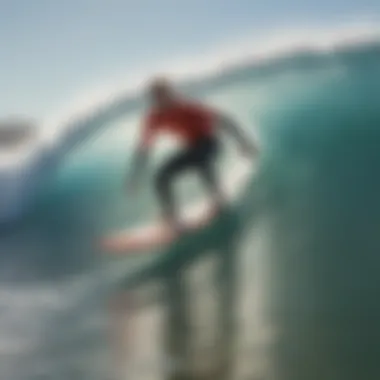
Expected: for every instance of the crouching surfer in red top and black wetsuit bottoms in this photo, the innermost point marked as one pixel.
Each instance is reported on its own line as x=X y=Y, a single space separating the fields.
x=197 y=126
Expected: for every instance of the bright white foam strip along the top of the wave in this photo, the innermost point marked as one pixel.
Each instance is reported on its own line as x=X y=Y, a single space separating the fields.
x=262 y=49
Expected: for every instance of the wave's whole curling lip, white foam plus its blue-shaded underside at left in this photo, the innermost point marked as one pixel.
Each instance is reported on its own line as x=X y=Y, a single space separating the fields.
x=21 y=178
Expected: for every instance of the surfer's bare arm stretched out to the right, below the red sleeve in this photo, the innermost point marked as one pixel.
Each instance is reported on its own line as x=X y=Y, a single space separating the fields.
x=246 y=142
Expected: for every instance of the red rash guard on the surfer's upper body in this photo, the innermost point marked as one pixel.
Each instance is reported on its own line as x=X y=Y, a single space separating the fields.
x=188 y=121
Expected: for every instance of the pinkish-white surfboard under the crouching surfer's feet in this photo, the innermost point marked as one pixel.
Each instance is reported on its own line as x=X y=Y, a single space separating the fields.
x=158 y=234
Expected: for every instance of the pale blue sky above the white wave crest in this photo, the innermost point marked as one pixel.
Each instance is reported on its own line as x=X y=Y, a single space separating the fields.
x=52 y=49
